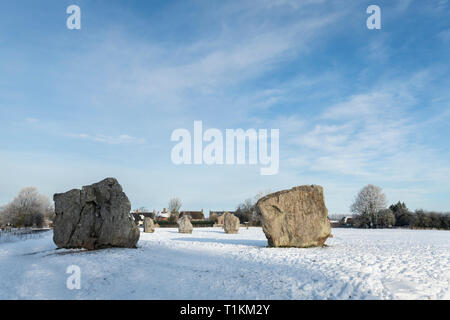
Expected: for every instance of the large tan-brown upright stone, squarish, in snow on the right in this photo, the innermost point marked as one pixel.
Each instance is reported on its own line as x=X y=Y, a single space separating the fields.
x=295 y=218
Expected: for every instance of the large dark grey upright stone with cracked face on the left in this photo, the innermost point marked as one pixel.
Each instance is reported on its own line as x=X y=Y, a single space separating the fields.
x=95 y=217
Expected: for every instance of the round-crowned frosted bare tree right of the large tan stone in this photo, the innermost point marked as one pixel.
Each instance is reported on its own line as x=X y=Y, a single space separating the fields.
x=368 y=203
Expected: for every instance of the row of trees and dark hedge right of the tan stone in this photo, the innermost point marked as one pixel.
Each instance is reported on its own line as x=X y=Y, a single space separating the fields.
x=371 y=211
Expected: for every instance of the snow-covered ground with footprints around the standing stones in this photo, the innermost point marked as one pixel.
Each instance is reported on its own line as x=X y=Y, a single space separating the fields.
x=208 y=264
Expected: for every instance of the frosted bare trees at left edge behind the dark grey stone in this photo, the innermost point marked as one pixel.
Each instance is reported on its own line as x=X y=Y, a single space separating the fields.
x=28 y=209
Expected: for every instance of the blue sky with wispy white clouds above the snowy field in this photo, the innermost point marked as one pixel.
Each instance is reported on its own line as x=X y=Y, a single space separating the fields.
x=354 y=106
